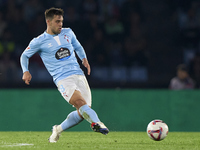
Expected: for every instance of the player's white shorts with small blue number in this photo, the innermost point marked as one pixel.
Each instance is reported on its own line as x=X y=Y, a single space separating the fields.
x=68 y=85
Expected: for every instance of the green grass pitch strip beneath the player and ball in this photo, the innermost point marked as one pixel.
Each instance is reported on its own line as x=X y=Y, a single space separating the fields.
x=97 y=141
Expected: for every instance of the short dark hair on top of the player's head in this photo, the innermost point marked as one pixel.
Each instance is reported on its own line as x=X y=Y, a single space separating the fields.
x=49 y=13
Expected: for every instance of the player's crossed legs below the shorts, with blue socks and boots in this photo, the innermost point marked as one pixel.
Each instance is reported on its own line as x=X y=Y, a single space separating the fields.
x=75 y=117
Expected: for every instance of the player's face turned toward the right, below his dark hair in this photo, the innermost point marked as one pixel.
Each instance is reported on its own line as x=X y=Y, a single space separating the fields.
x=56 y=24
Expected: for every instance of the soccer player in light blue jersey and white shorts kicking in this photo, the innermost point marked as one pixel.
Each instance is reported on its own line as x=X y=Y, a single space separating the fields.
x=57 y=47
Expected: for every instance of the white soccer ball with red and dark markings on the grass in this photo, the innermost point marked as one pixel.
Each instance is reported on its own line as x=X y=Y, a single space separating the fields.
x=157 y=130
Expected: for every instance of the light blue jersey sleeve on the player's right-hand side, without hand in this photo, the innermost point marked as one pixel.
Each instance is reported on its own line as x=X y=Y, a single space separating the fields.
x=78 y=47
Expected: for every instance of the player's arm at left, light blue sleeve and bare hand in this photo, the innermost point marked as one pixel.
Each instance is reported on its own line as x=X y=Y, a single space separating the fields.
x=24 y=60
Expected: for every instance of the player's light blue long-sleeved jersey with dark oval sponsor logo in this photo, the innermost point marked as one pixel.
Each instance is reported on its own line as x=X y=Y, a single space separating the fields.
x=57 y=54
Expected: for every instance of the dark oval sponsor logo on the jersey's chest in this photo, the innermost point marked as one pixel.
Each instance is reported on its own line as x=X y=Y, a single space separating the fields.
x=62 y=54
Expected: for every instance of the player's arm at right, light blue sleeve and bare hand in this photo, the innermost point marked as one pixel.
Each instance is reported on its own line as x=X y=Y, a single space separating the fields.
x=80 y=52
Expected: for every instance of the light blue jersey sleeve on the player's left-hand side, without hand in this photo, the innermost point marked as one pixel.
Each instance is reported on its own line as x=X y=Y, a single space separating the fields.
x=32 y=48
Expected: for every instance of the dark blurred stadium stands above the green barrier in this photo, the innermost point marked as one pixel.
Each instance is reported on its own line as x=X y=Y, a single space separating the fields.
x=129 y=43
